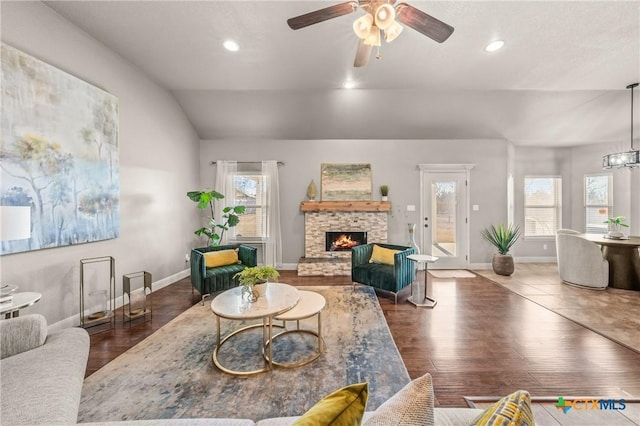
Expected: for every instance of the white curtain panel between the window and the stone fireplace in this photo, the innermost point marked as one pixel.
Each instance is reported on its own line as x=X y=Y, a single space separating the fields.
x=273 y=244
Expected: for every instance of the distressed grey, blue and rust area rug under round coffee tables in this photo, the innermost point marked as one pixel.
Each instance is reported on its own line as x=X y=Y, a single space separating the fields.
x=171 y=375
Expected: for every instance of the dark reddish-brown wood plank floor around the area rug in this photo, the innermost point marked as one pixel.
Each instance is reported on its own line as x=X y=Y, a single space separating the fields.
x=480 y=340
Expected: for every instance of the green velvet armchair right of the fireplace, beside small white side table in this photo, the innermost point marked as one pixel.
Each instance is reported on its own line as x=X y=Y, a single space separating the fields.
x=390 y=278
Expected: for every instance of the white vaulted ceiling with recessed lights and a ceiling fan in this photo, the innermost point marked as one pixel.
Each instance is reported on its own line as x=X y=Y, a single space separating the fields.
x=559 y=81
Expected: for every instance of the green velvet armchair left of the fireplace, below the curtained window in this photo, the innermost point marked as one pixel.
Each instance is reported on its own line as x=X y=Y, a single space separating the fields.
x=212 y=280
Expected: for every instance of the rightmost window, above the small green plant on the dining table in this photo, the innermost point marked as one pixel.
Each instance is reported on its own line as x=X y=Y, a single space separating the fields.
x=598 y=202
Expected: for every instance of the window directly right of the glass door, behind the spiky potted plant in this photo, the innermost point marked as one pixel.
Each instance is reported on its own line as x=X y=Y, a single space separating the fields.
x=542 y=206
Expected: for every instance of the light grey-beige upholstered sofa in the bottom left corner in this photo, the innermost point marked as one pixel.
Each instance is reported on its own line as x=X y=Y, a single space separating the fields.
x=41 y=374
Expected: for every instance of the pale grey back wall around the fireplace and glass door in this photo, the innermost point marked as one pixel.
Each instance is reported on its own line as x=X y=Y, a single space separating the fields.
x=393 y=163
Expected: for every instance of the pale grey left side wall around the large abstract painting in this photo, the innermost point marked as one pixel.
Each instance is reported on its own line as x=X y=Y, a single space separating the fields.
x=158 y=165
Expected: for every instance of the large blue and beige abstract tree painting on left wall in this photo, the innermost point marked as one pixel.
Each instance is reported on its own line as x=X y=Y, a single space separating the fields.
x=58 y=155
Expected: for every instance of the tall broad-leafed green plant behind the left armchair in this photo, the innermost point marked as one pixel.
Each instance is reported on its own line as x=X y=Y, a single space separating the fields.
x=215 y=230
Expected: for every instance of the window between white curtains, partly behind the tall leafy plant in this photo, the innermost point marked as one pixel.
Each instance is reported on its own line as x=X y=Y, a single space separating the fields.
x=251 y=192
